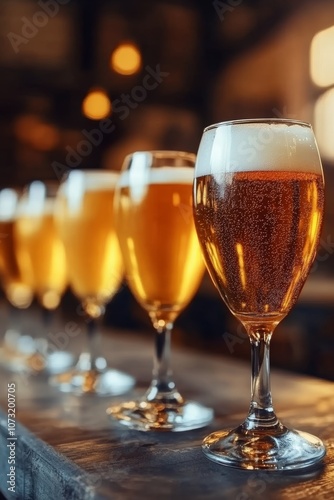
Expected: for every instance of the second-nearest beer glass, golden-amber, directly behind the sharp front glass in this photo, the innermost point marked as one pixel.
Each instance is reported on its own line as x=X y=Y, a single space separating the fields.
x=163 y=267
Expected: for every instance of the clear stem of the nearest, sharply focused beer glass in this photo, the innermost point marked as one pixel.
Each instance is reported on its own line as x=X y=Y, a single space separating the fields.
x=261 y=414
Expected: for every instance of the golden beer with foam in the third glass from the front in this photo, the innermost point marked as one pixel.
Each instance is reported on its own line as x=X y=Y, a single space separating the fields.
x=86 y=223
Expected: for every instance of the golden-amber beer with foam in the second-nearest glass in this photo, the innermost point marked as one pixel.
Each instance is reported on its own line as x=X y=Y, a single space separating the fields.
x=162 y=257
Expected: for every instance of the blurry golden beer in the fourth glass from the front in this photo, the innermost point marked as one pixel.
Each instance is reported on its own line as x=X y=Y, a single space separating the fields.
x=39 y=245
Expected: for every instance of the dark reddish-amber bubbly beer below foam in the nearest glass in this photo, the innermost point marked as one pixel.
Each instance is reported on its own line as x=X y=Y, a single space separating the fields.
x=260 y=236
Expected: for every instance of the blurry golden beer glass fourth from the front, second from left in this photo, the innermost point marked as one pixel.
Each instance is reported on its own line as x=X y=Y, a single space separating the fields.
x=41 y=257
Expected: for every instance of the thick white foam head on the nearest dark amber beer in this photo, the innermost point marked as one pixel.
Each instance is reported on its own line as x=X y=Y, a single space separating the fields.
x=255 y=146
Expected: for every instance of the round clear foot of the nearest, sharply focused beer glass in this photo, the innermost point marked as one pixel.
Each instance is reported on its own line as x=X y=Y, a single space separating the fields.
x=247 y=449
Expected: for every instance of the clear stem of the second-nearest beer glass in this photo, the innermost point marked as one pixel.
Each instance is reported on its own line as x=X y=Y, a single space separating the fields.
x=163 y=388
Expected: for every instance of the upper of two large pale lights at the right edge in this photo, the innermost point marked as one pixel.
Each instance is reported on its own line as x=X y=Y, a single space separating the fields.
x=321 y=58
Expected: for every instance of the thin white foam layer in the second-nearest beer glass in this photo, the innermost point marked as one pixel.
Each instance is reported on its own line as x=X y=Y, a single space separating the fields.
x=159 y=175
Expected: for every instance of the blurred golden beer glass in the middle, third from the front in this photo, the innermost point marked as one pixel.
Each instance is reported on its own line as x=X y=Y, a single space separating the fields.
x=85 y=220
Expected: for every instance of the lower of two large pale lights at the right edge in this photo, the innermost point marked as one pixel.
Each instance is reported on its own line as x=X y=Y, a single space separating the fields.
x=324 y=123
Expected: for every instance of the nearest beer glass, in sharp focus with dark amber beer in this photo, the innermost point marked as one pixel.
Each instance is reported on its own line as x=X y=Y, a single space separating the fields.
x=258 y=208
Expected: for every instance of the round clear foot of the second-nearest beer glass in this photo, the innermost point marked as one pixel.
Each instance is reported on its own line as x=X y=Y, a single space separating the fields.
x=143 y=415
